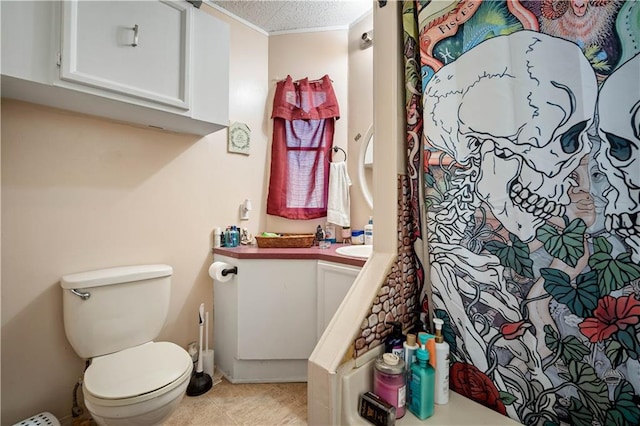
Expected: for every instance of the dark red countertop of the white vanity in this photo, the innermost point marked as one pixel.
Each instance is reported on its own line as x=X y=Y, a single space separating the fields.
x=314 y=252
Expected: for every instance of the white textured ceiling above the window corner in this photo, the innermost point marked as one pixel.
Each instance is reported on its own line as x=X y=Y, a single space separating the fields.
x=275 y=16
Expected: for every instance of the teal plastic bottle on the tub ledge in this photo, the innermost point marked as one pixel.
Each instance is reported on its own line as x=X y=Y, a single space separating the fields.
x=421 y=386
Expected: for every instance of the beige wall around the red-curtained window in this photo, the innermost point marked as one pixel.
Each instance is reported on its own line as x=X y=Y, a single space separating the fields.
x=338 y=54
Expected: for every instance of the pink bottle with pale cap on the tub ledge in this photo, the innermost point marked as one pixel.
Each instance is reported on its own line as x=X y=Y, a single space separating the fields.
x=389 y=381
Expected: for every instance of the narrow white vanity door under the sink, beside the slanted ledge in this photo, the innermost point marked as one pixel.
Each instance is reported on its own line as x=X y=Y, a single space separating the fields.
x=334 y=281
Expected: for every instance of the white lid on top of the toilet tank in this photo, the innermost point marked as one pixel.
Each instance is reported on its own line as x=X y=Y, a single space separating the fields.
x=116 y=275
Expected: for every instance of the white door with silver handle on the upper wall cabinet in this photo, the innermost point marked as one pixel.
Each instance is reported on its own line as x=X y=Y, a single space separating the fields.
x=136 y=48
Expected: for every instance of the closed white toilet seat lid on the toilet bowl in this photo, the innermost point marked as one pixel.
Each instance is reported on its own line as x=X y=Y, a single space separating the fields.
x=137 y=374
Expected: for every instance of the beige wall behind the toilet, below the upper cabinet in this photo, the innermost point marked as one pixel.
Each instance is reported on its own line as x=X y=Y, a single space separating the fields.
x=80 y=192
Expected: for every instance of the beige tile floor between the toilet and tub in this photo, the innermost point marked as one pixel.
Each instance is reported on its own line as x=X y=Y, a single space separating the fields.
x=267 y=404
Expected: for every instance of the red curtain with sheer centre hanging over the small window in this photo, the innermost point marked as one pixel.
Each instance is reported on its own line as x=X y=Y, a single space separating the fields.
x=304 y=114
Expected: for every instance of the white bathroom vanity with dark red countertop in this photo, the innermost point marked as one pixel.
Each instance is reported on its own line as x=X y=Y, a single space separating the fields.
x=270 y=315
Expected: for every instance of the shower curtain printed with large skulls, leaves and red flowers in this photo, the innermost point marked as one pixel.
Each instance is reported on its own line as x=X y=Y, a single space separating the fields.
x=527 y=114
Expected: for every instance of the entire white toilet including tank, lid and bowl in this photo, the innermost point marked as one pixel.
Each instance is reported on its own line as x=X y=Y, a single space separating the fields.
x=111 y=317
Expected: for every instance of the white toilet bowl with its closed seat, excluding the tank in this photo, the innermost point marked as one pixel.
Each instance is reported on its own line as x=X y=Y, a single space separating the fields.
x=141 y=385
